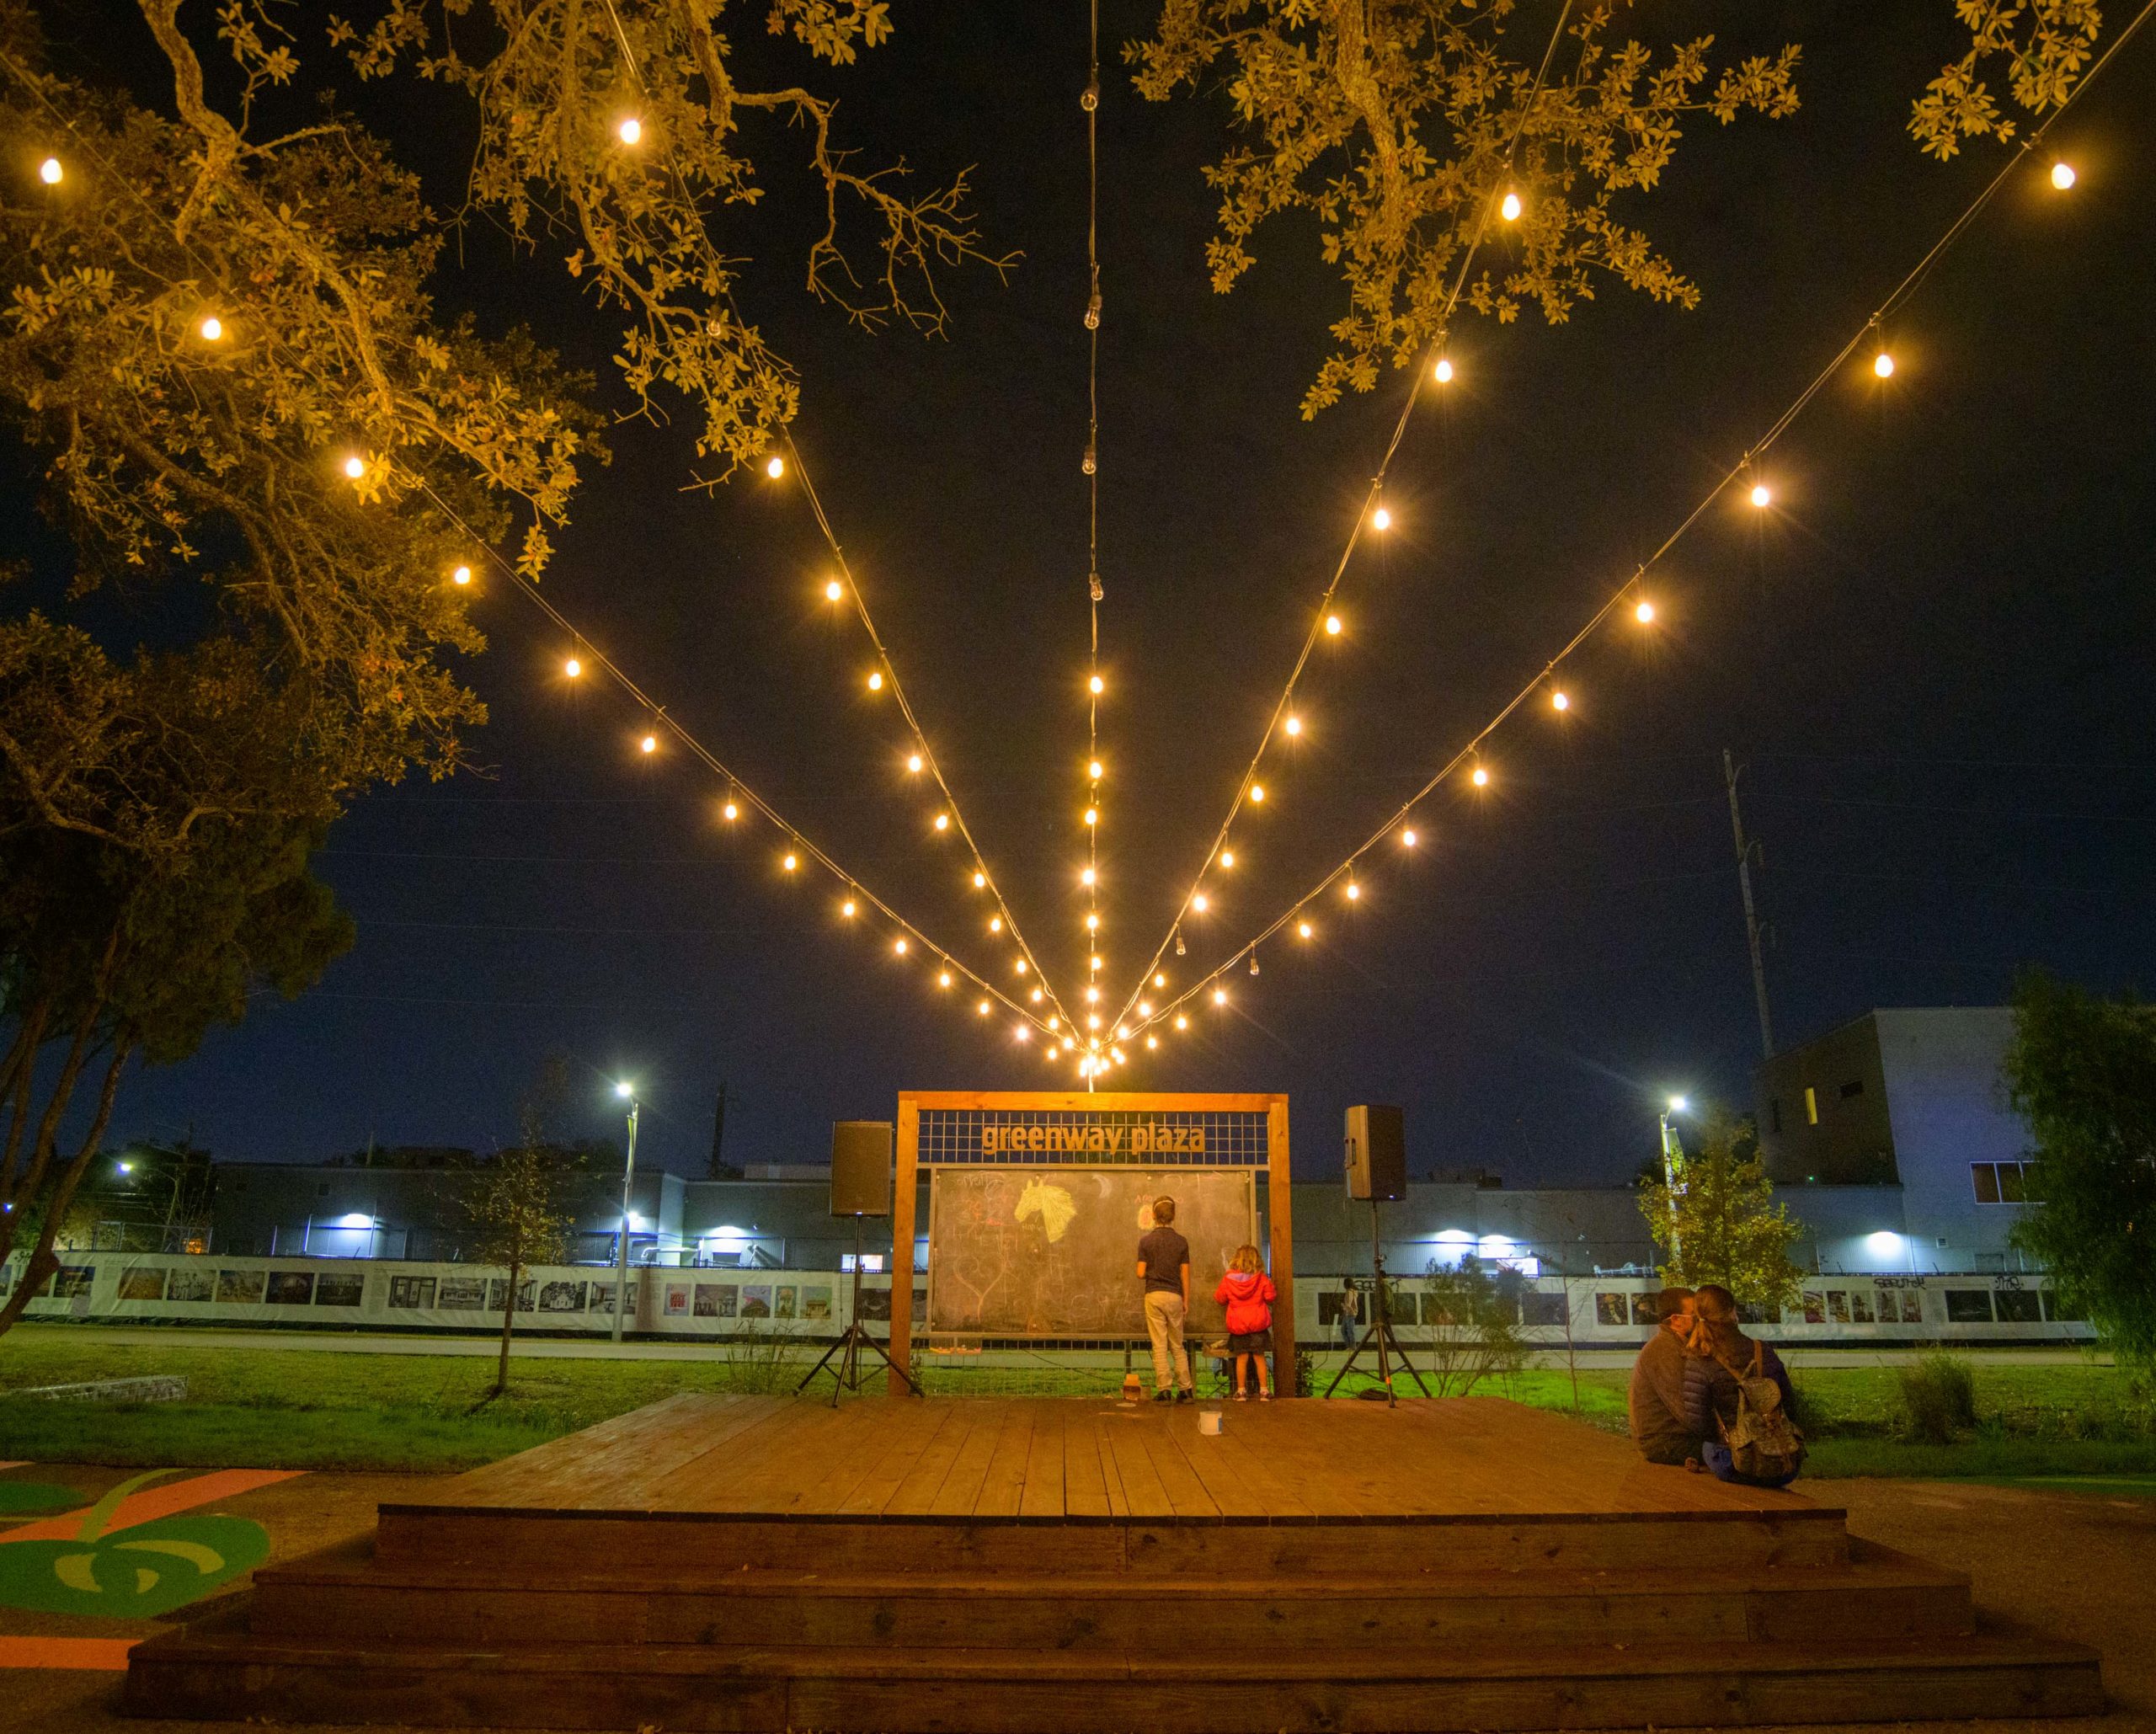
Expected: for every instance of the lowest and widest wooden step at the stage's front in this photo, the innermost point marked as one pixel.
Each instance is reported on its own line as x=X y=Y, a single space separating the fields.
x=1006 y=1692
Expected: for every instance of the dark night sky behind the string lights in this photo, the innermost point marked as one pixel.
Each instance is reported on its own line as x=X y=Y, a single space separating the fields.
x=1935 y=652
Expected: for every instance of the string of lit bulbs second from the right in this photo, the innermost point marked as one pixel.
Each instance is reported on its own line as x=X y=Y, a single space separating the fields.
x=1497 y=199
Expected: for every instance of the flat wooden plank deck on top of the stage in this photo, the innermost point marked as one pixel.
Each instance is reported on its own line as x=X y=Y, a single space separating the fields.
x=1060 y=1459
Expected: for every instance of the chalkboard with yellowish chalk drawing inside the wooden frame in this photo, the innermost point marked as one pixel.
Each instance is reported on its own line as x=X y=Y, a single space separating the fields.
x=1040 y=1252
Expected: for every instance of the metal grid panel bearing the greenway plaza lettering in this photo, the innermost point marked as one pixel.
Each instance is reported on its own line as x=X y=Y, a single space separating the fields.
x=1083 y=1138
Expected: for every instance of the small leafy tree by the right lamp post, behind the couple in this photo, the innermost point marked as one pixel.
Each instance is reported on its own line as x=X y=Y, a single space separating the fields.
x=1715 y=1220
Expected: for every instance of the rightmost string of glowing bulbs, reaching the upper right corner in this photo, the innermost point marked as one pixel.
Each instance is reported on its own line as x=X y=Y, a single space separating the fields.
x=1635 y=588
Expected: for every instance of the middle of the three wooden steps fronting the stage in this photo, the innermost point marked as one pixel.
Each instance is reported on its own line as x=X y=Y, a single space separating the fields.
x=1879 y=1593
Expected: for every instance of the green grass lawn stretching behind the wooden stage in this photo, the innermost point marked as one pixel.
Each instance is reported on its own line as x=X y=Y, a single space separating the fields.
x=320 y=1409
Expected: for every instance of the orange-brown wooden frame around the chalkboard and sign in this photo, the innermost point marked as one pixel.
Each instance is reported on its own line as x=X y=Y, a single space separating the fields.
x=1280 y=1205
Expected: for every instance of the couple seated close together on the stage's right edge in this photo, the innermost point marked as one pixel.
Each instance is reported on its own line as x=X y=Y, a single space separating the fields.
x=1709 y=1396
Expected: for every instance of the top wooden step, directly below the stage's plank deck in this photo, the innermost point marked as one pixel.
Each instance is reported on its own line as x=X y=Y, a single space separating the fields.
x=1234 y=1547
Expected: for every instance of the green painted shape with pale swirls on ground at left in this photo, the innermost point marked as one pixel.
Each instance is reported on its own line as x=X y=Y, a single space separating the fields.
x=133 y=1573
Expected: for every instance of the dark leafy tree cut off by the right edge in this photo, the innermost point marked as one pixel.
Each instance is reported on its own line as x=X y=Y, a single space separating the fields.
x=2084 y=1075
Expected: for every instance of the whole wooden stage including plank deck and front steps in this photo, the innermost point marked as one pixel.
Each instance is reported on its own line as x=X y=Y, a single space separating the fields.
x=1077 y=1565
